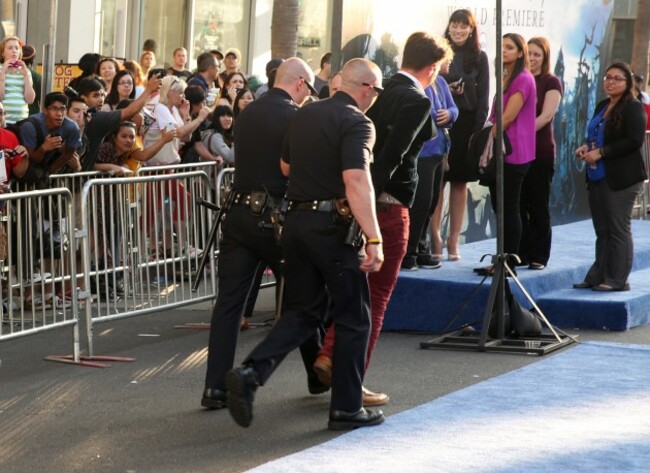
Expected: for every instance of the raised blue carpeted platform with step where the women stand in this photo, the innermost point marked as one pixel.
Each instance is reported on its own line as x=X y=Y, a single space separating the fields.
x=426 y=300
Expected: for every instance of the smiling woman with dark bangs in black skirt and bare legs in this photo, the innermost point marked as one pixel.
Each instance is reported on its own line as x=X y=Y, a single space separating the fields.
x=469 y=82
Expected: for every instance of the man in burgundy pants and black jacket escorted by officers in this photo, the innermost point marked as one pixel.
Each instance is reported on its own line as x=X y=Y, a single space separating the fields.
x=403 y=124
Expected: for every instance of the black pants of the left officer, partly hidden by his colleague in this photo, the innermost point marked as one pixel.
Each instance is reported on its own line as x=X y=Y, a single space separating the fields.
x=244 y=246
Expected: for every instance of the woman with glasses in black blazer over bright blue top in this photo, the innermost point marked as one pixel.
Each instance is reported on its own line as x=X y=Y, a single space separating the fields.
x=615 y=173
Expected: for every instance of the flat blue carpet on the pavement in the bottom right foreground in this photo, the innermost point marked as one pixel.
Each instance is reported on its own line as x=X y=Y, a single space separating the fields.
x=582 y=410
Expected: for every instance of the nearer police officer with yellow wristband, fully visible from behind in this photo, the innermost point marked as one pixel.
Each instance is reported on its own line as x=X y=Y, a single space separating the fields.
x=328 y=152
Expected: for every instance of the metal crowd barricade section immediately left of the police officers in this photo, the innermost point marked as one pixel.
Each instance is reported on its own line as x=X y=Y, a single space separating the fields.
x=141 y=239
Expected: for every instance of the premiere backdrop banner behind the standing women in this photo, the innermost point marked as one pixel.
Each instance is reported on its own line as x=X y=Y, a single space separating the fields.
x=579 y=32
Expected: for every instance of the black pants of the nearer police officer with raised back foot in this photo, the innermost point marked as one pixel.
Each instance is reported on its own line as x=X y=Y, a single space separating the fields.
x=319 y=265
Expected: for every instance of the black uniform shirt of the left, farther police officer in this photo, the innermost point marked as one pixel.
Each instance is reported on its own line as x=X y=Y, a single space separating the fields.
x=259 y=133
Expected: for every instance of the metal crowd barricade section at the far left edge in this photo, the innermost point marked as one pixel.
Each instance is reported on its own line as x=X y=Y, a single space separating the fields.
x=36 y=261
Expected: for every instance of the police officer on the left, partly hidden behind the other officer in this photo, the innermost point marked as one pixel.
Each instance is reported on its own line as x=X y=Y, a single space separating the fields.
x=248 y=239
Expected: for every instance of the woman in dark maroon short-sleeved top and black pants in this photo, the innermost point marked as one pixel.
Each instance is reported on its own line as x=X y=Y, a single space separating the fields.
x=535 y=245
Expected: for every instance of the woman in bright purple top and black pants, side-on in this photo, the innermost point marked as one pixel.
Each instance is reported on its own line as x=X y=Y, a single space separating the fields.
x=519 y=99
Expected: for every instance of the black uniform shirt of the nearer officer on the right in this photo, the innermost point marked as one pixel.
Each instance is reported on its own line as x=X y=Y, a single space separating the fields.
x=326 y=138
